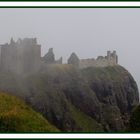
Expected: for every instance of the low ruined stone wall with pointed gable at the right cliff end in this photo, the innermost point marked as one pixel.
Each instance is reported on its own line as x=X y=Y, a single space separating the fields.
x=110 y=60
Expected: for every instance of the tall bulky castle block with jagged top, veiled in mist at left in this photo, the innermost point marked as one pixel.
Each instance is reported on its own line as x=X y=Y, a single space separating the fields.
x=23 y=56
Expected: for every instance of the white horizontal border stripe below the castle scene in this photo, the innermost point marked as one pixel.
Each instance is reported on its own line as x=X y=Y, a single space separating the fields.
x=70 y=136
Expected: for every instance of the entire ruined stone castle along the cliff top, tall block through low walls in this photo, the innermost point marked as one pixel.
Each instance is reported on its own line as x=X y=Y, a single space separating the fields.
x=24 y=57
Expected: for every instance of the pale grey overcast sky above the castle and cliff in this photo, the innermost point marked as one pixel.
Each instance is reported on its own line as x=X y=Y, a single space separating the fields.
x=87 y=31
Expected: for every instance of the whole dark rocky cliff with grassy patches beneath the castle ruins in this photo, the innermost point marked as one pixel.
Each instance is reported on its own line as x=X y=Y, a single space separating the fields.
x=92 y=99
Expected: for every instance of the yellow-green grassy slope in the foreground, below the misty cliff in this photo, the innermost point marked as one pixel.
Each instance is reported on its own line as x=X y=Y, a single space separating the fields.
x=15 y=116
